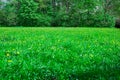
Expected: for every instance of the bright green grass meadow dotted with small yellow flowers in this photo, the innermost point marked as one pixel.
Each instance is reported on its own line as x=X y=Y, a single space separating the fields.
x=59 y=54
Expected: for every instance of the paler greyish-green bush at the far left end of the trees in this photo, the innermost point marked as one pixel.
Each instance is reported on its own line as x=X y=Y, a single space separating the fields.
x=8 y=16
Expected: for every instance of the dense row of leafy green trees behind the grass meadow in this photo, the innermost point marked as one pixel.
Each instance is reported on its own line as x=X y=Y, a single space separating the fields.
x=68 y=13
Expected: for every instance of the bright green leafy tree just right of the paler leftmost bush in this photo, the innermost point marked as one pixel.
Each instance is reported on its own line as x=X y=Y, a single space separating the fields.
x=27 y=12
